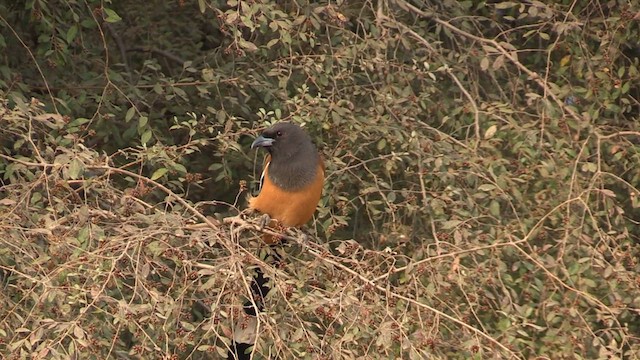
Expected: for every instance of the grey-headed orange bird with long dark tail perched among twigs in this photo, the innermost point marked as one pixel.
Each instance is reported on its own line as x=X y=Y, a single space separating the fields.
x=291 y=186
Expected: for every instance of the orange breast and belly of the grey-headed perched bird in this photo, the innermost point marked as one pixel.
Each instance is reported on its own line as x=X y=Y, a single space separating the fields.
x=290 y=208
